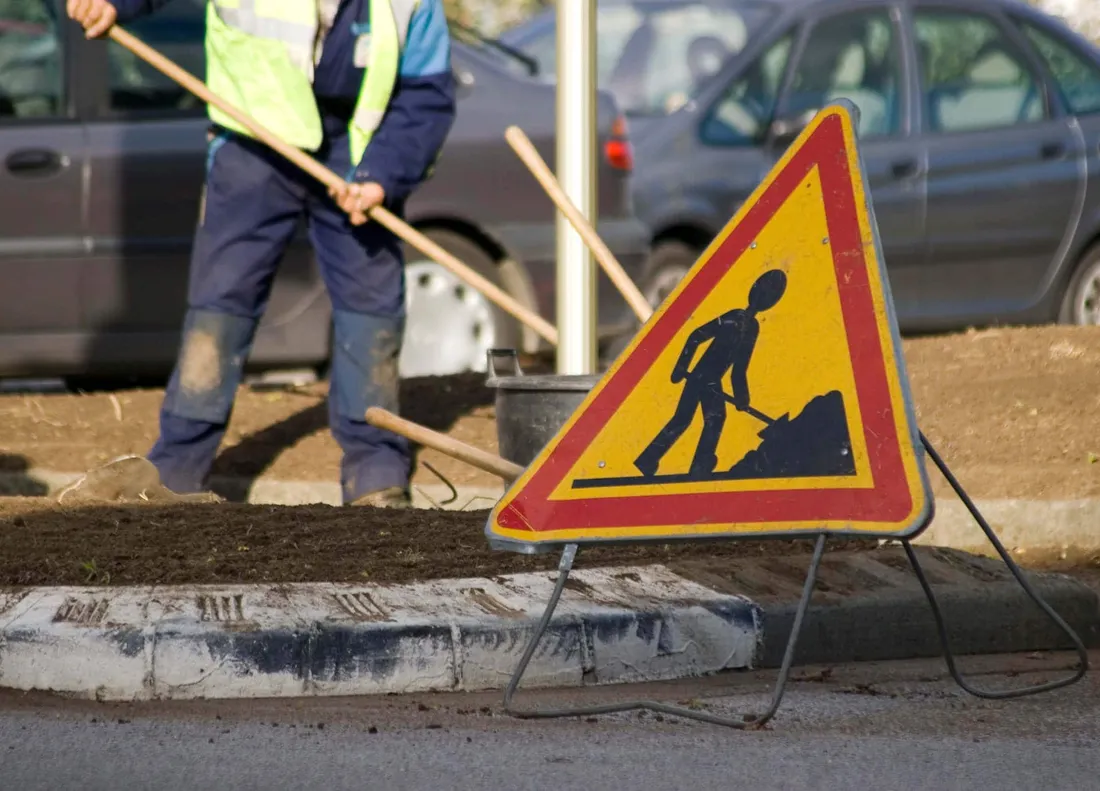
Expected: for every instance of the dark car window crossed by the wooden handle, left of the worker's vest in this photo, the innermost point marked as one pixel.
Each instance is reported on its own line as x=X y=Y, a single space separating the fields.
x=178 y=31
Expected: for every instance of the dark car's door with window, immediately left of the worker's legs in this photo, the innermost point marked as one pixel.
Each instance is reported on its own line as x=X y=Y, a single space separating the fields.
x=146 y=146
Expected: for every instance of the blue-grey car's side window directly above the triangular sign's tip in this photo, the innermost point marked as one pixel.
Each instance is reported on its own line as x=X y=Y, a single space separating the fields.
x=852 y=57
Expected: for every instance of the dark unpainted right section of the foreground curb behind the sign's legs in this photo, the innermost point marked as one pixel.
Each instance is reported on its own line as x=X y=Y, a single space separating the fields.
x=985 y=609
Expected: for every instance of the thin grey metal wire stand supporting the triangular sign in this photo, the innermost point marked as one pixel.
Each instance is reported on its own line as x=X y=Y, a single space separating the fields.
x=757 y=721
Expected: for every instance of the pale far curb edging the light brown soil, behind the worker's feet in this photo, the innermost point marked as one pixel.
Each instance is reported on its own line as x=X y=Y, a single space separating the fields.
x=1028 y=528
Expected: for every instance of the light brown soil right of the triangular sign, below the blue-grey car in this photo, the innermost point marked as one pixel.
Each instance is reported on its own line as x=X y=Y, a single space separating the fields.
x=1015 y=412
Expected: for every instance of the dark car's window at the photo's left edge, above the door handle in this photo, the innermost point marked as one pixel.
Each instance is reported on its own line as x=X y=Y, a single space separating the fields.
x=31 y=74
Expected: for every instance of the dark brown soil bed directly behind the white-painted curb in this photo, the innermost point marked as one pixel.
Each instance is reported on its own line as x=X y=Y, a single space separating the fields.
x=42 y=544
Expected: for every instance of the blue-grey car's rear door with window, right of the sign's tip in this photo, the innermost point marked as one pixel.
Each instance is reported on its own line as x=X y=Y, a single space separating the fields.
x=1005 y=169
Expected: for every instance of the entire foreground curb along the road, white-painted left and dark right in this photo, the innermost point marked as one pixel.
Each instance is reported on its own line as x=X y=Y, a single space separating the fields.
x=613 y=627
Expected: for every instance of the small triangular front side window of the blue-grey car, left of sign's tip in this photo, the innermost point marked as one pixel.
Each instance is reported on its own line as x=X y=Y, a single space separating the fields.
x=744 y=113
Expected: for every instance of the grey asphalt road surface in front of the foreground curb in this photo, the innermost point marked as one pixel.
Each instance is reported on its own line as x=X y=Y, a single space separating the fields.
x=873 y=727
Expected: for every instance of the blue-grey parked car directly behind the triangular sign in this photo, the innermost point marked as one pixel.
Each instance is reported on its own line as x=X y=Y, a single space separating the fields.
x=981 y=136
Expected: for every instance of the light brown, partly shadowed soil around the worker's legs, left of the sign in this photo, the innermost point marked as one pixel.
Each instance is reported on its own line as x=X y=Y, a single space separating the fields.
x=279 y=434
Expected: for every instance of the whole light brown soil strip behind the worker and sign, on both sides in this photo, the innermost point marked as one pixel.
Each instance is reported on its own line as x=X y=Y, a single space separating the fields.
x=1015 y=412
